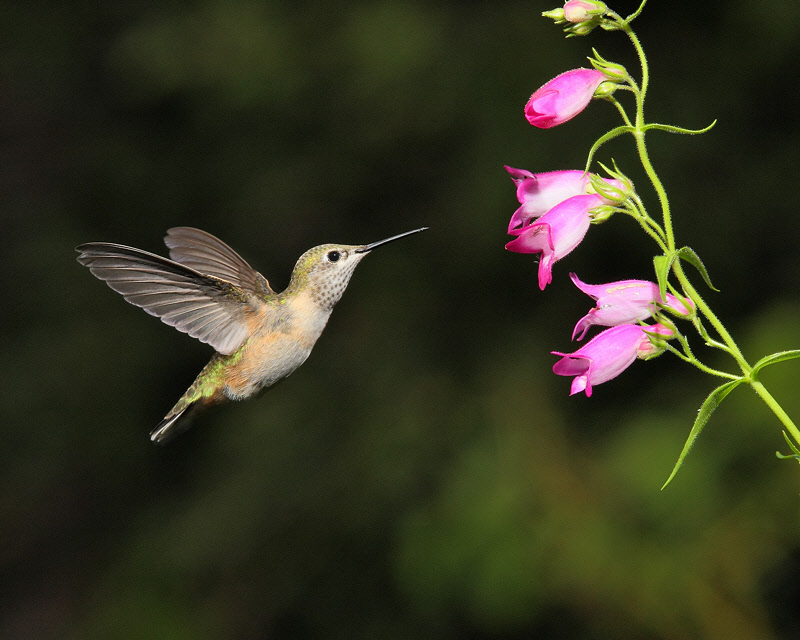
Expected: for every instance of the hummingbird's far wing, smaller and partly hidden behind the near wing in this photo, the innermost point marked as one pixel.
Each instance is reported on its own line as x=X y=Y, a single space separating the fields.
x=209 y=255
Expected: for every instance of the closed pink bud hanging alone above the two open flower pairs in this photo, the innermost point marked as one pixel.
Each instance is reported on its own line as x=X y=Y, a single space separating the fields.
x=564 y=97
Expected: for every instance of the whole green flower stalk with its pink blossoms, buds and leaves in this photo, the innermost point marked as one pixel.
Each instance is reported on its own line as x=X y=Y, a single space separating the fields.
x=557 y=209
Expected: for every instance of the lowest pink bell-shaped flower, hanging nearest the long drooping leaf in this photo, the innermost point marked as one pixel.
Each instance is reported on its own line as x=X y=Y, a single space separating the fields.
x=607 y=355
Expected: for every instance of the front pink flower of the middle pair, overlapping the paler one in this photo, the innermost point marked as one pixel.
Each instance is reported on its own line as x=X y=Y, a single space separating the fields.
x=556 y=233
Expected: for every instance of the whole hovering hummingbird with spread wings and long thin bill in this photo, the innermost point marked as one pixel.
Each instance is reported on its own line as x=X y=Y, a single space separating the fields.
x=207 y=290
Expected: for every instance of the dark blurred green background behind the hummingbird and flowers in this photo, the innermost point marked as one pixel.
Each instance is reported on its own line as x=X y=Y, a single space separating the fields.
x=424 y=474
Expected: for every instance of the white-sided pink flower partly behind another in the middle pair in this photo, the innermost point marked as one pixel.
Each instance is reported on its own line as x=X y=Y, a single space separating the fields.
x=539 y=192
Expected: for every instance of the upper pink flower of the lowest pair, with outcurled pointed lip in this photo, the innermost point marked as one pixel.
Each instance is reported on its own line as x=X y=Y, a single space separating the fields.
x=623 y=302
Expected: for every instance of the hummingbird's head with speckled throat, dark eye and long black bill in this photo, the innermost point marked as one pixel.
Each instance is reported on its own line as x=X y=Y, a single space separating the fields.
x=326 y=270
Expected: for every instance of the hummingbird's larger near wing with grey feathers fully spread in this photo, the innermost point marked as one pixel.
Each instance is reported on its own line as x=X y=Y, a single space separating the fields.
x=206 y=307
